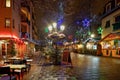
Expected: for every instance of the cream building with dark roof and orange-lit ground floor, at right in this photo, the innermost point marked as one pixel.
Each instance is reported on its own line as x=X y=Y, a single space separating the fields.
x=111 y=28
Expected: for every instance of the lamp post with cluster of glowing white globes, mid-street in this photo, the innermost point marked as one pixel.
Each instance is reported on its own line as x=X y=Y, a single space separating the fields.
x=55 y=34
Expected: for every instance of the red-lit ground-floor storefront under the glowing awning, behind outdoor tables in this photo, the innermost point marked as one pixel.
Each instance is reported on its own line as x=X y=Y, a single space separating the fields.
x=11 y=46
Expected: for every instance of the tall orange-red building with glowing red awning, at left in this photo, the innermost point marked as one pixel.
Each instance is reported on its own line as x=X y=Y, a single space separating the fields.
x=16 y=32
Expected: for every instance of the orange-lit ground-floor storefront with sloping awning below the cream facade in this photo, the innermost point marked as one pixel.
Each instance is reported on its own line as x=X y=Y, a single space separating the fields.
x=111 y=45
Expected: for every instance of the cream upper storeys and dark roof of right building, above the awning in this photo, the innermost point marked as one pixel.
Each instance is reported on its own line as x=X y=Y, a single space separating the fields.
x=111 y=17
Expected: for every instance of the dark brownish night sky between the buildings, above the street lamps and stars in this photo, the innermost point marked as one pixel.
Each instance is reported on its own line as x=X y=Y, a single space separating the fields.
x=48 y=11
